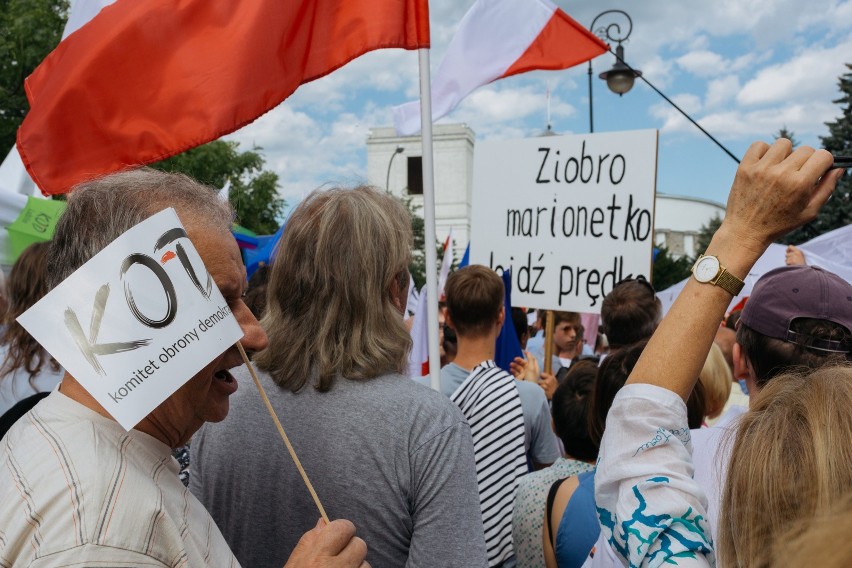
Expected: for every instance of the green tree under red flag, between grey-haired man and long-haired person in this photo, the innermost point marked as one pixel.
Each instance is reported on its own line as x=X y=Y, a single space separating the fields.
x=253 y=192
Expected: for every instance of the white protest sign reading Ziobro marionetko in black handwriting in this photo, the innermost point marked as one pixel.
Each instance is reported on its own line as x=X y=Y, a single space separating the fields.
x=571 y=216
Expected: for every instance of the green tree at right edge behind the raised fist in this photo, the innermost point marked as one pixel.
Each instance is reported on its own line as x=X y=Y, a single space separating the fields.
x=838 y=211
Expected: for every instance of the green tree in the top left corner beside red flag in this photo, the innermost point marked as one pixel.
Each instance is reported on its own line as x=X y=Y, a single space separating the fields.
x=29 y=30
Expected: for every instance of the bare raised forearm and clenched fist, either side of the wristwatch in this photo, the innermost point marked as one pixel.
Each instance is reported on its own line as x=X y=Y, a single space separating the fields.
x=774 y=192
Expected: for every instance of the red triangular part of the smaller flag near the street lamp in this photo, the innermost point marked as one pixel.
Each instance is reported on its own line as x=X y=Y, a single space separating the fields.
x=561 y=44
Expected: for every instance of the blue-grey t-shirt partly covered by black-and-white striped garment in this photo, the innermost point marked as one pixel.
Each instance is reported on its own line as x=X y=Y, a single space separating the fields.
x=539 y=440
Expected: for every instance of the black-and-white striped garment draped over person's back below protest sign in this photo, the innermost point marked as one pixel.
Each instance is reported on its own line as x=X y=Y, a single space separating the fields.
x=489 y=400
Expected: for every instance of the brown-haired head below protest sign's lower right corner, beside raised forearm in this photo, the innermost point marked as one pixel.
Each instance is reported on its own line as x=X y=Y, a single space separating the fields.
x=630 y=312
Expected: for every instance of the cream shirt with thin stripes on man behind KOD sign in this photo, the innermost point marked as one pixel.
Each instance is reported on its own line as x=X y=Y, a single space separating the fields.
x=77 y=490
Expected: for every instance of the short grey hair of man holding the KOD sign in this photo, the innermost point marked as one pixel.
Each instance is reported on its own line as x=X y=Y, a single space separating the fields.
x=99 y=211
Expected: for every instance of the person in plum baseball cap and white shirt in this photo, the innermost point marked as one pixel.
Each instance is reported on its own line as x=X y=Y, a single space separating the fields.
x=797 y=316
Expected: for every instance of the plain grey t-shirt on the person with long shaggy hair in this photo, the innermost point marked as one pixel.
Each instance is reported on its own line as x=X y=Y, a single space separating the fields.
x=391 y=456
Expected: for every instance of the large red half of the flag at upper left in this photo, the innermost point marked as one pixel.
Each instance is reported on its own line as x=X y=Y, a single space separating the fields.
x=143 y=81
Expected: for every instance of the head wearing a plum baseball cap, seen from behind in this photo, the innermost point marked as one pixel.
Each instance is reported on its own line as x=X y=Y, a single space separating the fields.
x=797 y=316
